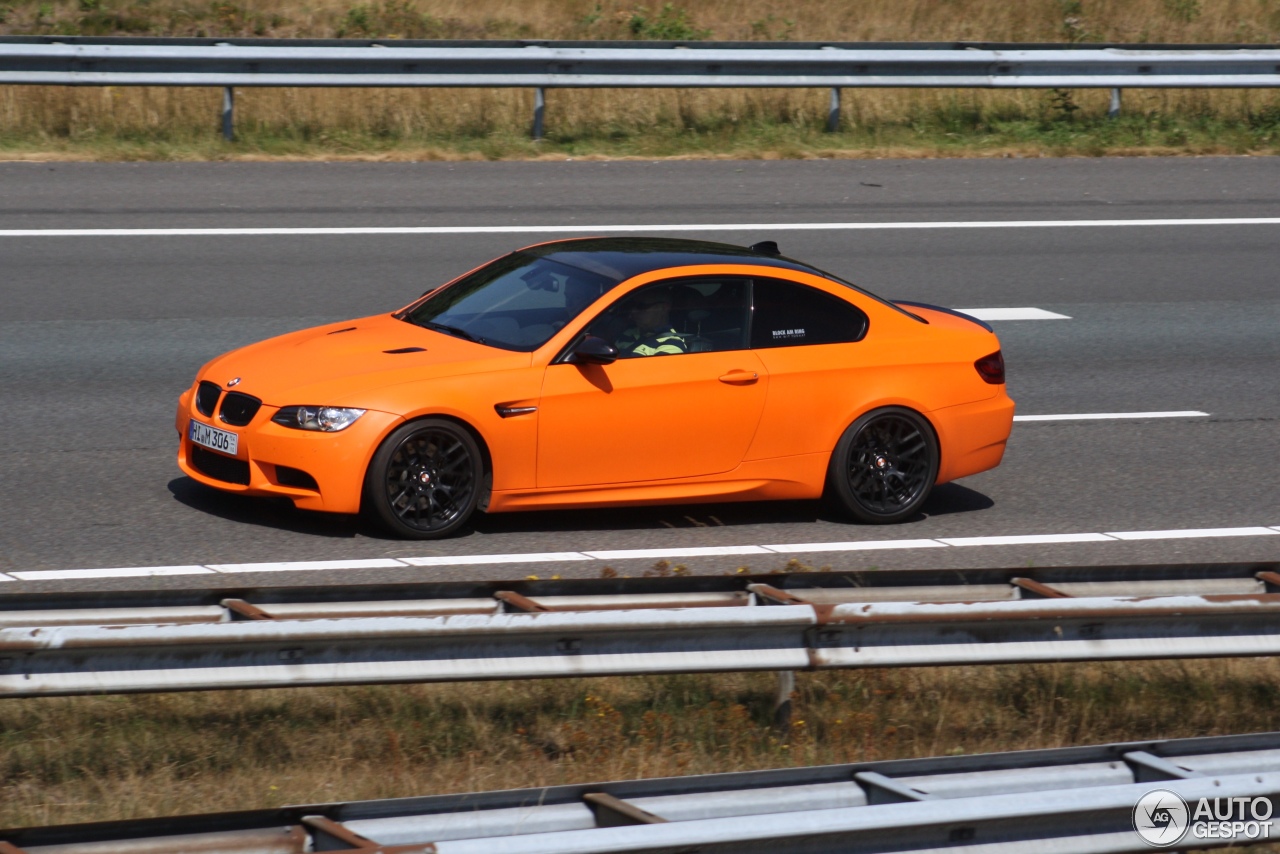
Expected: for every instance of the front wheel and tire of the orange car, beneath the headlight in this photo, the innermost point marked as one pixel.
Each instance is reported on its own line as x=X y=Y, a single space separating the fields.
x=424 y=481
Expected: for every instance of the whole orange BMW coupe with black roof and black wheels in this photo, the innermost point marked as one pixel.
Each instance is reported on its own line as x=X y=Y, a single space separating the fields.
x=605 y=372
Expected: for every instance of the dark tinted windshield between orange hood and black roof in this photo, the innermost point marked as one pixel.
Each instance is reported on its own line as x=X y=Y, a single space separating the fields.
x=516 y=303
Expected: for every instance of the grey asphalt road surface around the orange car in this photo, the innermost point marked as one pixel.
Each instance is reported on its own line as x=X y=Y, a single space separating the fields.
x=99 y=336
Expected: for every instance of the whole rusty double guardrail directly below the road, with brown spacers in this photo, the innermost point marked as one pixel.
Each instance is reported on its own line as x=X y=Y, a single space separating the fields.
x=820 y=622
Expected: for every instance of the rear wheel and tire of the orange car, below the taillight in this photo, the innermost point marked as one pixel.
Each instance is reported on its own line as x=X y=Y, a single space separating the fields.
x=885 y=465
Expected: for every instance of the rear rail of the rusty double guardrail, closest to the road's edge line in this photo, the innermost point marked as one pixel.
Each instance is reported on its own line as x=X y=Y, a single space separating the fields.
x=84 y=605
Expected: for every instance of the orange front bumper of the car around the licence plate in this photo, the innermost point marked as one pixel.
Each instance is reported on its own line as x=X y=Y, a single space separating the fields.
x=271 y=456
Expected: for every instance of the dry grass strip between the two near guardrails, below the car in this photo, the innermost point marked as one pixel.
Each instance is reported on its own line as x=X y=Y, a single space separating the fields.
x=117 y=757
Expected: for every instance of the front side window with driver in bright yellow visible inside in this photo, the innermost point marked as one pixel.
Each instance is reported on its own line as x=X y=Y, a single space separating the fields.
x=678 y=317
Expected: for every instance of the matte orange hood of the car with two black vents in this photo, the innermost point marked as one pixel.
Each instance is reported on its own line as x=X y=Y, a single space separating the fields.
x=345 y=364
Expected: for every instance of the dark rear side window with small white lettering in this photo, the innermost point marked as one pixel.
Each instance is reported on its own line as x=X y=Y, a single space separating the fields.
x=787 y=314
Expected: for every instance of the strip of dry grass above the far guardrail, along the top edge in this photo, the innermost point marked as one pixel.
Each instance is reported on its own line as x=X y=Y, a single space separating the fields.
x=1132 y=21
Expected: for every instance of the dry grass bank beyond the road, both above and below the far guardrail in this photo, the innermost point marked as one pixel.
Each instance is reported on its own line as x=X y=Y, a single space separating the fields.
x=127 y=124
